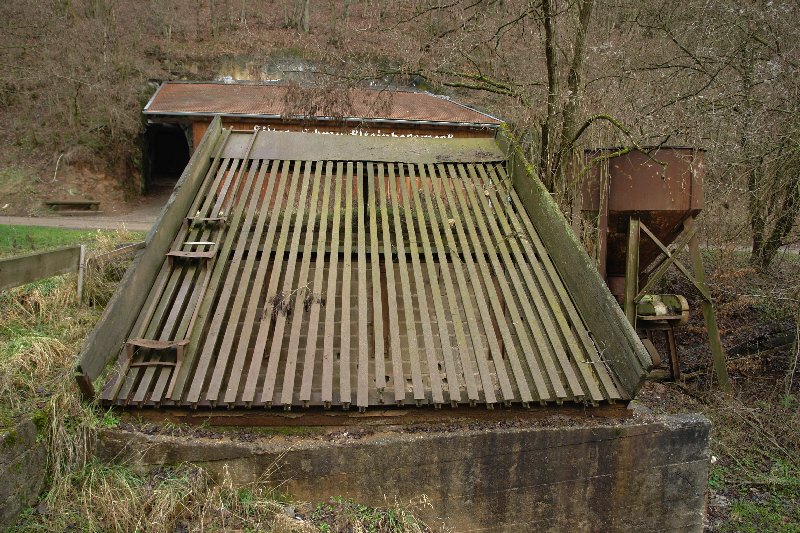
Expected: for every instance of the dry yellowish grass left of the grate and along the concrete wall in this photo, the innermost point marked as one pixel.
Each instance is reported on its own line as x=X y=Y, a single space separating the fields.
x=42 y=328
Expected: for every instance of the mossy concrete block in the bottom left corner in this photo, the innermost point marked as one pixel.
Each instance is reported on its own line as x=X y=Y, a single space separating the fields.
x=23 y=463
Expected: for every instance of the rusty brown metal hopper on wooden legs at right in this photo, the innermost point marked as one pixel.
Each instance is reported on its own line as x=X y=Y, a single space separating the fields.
x=661 y=188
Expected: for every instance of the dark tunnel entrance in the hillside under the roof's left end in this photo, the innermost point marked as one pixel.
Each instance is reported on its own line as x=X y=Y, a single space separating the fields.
x=168 y=155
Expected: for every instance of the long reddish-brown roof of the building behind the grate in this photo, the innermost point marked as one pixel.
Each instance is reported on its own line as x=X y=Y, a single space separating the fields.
x=248 y=99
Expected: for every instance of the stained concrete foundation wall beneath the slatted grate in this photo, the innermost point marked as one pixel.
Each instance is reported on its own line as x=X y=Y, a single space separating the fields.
x=640 y=475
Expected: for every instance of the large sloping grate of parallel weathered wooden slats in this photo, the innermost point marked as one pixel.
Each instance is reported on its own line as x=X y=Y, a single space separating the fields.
x=319 y=283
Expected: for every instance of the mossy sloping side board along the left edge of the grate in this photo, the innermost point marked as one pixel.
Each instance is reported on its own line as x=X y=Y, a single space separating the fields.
x=106 y=339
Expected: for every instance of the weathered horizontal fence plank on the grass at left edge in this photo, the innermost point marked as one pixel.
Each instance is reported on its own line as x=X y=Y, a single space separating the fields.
x=16 y=271
